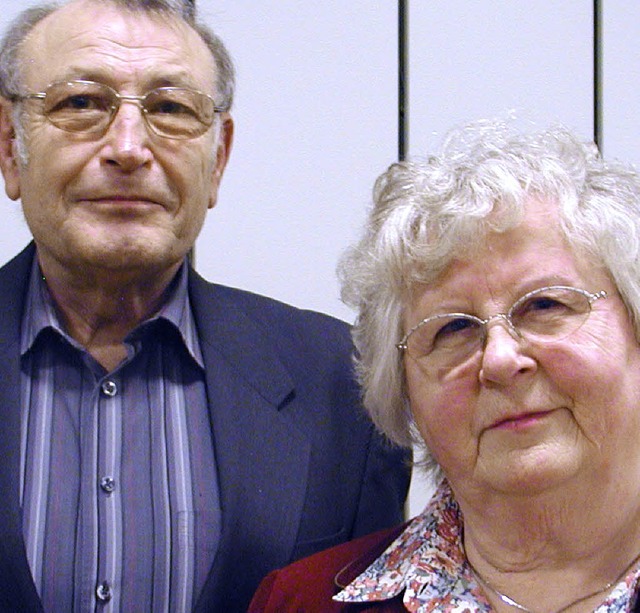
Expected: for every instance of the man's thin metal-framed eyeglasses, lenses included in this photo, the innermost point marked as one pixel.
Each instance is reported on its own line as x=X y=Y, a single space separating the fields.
x=89 y=108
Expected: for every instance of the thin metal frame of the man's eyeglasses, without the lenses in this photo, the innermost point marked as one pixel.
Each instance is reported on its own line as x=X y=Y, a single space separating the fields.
x=115 y=107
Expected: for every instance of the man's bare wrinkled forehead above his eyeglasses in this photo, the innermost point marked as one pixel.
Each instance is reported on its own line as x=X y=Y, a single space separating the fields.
x=99 y=35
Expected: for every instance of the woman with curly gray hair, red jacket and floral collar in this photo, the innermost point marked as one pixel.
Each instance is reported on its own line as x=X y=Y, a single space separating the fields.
x=498 y=297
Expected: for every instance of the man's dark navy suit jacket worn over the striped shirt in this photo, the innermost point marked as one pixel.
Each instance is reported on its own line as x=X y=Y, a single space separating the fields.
x=300 y=466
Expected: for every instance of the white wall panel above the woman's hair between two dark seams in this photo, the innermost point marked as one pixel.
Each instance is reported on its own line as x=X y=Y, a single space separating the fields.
x=471 y=59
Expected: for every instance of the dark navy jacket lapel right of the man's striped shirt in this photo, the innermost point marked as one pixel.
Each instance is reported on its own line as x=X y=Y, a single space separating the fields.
x=255 y=444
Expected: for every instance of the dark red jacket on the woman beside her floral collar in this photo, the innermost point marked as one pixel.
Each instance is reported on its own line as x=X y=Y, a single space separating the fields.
x=306 y=586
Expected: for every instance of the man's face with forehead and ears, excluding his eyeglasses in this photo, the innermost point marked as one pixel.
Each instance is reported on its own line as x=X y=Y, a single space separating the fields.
x=129 y=199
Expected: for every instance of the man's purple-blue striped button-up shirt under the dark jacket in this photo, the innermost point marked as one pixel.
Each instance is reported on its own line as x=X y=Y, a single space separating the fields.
x=118 y=483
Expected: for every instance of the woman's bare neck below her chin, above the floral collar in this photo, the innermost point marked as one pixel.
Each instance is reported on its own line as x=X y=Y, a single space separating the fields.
x=547 y=551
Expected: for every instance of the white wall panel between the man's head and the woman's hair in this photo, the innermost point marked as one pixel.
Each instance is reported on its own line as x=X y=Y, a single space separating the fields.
x=316 y=123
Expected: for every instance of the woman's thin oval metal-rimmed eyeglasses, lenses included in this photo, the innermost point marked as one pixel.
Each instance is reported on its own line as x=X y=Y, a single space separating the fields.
x=544 y=314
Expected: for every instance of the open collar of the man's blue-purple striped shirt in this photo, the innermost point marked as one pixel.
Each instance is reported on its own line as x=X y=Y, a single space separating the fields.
x=40 y=313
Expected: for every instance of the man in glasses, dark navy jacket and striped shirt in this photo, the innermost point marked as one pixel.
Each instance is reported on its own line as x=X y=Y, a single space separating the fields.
x=165 y=442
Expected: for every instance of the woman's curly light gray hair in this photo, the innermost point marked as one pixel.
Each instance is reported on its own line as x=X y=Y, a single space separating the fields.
x=426 y=213
